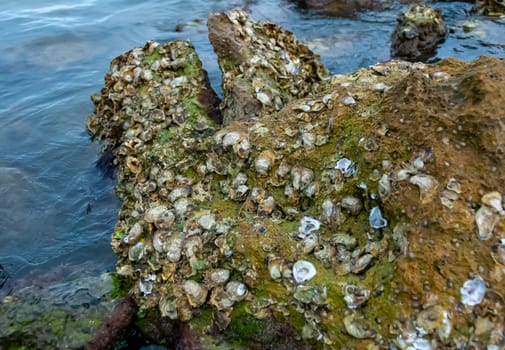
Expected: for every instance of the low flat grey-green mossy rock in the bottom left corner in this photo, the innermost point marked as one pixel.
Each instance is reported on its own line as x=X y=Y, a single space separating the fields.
x=64 y=315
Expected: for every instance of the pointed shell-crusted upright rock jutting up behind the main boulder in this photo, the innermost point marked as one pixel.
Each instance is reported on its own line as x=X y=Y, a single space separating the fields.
x=264 y=66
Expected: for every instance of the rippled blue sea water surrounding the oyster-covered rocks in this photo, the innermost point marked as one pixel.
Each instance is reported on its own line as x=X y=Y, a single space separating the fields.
x=57 y=210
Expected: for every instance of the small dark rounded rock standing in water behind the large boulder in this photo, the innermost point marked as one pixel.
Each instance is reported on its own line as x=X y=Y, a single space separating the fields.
x=418 y=32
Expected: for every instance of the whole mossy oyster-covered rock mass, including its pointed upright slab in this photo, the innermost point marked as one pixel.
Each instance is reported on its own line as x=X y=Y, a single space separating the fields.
x=358 y=211
